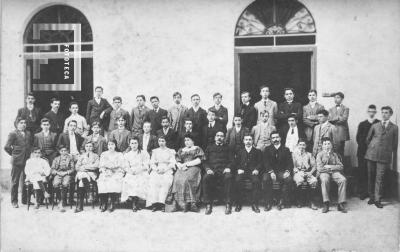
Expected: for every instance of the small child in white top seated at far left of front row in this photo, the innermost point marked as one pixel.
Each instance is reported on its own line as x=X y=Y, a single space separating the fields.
x=37 y=170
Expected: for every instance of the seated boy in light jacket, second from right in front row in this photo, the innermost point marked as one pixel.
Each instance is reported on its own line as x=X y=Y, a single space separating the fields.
x=303 y=168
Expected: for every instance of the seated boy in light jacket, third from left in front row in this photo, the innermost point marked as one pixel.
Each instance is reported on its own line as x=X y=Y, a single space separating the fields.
x=87 y=167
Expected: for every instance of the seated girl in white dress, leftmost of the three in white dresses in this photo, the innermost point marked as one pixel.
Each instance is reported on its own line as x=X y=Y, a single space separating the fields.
x=111 y=174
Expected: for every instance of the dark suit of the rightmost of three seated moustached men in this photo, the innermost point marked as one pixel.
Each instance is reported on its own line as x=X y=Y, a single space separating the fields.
x=277 y=161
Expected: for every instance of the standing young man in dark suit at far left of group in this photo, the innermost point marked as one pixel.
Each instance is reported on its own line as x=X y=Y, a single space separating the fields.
x=18 y=146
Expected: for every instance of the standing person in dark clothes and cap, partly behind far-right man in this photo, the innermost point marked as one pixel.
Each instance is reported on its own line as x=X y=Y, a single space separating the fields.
x=362 y=133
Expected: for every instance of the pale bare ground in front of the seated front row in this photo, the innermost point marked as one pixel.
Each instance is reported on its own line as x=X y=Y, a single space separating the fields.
x=363 y=228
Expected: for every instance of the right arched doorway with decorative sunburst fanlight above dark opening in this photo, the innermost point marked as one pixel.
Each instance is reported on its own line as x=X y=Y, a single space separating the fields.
x=275 y=46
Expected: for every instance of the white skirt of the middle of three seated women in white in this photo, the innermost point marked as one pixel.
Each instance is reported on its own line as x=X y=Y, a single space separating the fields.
x=135 y=186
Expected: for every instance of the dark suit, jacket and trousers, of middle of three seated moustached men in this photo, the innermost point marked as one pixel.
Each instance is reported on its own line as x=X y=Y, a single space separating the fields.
x=248 y=162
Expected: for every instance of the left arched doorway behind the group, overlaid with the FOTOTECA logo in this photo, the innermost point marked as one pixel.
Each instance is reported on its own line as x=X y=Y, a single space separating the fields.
x=58 y=56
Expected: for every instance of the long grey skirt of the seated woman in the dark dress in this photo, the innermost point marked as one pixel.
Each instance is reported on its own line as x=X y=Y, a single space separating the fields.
x=186 y=187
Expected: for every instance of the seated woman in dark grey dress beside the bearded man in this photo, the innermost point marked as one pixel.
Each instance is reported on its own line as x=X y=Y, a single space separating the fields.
x=186 y=186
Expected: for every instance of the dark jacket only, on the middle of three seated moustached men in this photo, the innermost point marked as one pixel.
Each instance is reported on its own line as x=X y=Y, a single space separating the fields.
x=249 y=161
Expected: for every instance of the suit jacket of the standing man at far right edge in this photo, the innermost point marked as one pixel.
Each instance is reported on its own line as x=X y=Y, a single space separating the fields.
x=382 y=142
